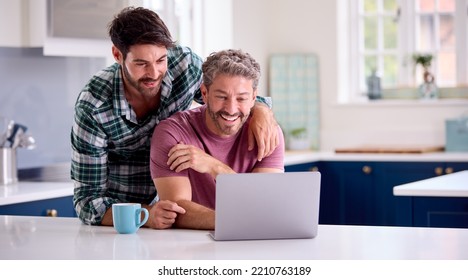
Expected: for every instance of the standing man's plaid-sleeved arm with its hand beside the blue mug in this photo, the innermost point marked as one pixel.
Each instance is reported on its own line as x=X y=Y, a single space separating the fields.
x=89 y=173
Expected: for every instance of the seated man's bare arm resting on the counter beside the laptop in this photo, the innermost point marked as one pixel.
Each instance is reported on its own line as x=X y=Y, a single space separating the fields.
x=179 y=190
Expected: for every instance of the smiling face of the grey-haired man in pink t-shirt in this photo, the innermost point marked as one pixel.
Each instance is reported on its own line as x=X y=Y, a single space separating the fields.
x=229 y=100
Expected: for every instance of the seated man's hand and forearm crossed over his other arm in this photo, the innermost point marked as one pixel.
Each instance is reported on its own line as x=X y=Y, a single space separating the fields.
x=183 y=156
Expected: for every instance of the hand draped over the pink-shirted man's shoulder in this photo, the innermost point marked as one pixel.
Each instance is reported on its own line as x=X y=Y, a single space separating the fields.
x=263 y=129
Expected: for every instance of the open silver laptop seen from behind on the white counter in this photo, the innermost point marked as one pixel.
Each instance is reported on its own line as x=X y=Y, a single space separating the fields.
x=252 y=206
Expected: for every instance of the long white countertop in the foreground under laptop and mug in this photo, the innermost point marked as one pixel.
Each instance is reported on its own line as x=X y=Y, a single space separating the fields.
x=23 y=237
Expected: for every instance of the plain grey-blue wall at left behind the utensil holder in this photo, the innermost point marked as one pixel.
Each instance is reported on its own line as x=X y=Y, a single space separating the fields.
x=39 y=92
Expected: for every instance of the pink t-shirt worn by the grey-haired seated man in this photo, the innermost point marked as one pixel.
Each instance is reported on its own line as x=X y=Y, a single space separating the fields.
x=190 y=128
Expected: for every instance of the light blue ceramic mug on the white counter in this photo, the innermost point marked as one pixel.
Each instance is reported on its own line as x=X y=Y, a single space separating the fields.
x=127 y=217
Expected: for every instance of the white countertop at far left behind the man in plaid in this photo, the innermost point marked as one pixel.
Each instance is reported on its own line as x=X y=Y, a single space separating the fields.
x=31 y=191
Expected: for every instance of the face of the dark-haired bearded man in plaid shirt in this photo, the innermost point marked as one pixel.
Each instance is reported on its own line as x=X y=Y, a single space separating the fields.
x=143 y=69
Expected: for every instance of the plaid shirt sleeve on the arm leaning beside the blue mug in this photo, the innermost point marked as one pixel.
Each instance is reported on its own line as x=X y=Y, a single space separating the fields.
x=89 y=168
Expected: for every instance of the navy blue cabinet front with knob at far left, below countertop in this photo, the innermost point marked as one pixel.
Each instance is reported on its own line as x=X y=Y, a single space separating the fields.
x=60 y=207
